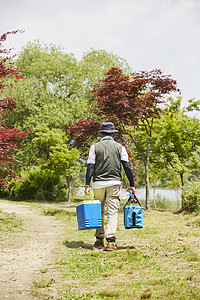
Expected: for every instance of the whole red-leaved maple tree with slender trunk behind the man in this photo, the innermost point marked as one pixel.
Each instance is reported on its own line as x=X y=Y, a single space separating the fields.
x=132 y=102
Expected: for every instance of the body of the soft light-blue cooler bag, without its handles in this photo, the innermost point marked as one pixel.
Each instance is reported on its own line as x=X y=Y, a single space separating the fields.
x=133 y=216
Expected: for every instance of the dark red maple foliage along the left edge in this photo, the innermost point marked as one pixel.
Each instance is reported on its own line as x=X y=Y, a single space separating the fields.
x=9 y=138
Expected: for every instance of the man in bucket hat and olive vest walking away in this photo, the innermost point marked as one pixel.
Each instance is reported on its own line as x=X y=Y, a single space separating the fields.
x=104 y=165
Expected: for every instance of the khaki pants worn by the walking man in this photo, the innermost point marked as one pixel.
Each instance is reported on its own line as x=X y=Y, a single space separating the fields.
x=111 y=196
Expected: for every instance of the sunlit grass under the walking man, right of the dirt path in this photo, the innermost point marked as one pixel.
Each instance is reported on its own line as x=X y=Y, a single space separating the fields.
x=160 y=261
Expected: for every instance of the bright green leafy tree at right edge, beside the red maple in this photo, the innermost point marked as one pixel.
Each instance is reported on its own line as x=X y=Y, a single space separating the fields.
x=176 y=139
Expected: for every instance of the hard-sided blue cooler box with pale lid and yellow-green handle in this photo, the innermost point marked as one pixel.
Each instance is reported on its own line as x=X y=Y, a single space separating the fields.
x=89 y=214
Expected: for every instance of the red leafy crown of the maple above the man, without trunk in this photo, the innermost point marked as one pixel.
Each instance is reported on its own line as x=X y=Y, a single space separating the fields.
x=128 y=99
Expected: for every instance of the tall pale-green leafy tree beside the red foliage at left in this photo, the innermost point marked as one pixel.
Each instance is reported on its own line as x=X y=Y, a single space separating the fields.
x=51 y=94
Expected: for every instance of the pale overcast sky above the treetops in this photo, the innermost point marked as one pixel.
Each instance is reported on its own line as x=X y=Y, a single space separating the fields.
x=149 y=34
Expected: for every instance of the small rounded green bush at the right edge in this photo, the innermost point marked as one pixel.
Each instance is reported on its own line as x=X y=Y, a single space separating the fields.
x=191 y=196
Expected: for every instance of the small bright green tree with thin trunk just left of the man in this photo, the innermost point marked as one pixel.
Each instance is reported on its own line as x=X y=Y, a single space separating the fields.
x=56 y=156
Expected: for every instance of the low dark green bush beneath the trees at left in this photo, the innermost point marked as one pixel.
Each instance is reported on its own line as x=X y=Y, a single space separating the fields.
x=39 y=184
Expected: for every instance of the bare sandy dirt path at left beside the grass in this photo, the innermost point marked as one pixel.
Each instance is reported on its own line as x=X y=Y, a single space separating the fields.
x=27 y=254
